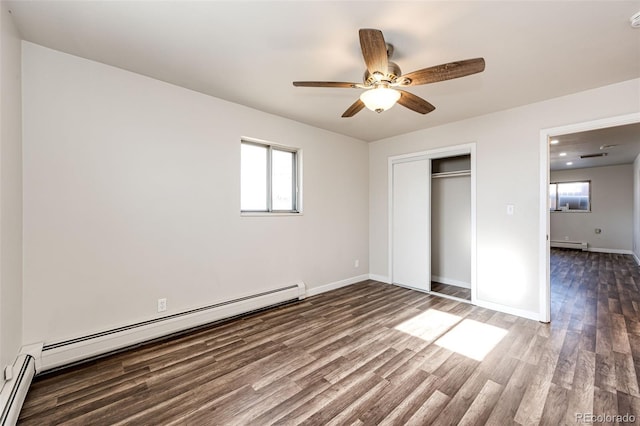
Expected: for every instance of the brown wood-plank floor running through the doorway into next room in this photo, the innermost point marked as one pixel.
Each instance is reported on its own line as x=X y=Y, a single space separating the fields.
x=370 y=354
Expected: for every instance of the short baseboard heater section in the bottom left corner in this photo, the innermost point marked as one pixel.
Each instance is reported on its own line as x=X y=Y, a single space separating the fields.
x=15 y=389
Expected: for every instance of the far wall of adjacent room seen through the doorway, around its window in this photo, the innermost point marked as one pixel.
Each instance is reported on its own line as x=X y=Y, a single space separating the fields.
x=611 y=209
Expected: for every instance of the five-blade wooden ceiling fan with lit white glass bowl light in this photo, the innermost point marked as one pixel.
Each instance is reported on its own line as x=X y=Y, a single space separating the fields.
x=382 y=78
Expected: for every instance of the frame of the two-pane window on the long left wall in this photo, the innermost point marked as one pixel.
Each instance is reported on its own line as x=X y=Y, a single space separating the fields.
x=296 y=188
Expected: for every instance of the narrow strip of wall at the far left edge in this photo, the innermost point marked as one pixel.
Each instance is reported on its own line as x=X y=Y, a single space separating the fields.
x=10 y=190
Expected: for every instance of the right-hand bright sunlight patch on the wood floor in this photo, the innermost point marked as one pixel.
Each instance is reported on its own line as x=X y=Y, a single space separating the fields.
x=472 y=339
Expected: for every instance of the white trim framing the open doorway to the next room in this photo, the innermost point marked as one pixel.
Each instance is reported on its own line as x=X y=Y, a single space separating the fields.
x=544 y=248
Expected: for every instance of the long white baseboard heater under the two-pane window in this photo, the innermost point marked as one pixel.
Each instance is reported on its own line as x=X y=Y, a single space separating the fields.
x=67 y=352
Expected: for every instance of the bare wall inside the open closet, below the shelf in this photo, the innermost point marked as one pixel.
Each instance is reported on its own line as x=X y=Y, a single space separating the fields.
x=451 y=230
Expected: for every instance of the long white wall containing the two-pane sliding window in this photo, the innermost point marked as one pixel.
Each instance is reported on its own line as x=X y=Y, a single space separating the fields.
x=132 y=193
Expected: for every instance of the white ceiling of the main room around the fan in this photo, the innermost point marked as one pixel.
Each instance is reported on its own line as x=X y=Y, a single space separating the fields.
x=250 y=52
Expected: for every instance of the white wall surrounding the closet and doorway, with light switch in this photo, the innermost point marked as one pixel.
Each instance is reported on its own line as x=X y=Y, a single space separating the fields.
x=508 y=167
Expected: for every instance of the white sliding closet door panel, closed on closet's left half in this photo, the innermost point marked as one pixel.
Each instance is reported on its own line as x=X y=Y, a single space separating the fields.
x=411 y=224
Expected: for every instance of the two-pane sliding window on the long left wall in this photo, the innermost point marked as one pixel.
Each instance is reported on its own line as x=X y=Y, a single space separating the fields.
x=269 y=178
